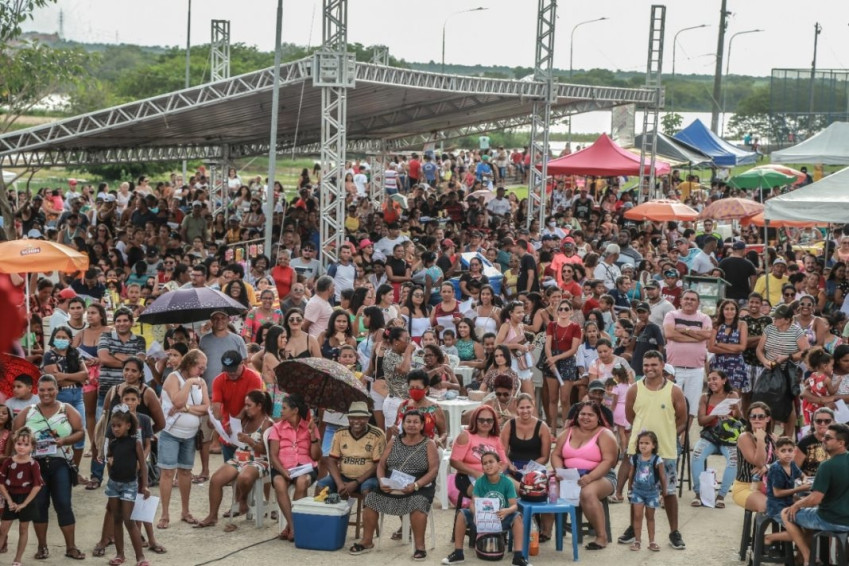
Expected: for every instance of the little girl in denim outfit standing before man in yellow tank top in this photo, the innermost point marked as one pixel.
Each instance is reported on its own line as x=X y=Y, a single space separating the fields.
x=646 y=473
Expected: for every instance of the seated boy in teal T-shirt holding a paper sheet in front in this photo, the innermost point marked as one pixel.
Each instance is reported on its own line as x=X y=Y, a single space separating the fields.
x=492 y=484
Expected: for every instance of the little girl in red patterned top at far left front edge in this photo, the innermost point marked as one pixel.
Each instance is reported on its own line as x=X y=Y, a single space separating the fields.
x=20 y=482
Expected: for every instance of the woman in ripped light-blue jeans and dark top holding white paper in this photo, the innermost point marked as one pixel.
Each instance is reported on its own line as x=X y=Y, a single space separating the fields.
x=719 y=393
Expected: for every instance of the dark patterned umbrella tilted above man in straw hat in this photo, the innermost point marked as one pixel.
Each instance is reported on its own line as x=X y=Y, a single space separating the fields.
x=322 y=383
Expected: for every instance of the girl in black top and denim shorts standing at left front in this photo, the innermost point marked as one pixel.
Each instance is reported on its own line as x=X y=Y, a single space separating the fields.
x=125 y=458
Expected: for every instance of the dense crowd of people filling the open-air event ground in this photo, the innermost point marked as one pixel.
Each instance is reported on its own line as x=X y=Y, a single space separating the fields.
x=456 y=292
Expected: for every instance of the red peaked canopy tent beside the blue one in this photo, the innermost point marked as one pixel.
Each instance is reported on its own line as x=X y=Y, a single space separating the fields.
x=603 y=159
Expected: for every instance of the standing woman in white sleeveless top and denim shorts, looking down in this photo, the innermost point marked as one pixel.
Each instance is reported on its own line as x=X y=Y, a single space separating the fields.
x=185 y=399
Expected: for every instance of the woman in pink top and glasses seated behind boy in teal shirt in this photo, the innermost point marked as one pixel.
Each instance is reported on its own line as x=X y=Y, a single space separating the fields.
x=482 y=436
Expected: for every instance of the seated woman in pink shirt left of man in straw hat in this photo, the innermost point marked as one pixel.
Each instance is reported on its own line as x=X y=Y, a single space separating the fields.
x=293 y=441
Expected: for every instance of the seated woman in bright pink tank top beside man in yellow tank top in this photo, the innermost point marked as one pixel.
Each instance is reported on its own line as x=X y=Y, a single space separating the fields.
x=586 y=445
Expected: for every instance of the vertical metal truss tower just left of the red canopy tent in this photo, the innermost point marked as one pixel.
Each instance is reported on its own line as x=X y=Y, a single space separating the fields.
x=541 y=113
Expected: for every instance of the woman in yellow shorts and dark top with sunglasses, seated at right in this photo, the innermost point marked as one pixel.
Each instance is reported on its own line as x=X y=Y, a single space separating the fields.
x=755 y=453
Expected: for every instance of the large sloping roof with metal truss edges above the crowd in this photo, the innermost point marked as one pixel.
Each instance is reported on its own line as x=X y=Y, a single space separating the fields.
x=388 y=108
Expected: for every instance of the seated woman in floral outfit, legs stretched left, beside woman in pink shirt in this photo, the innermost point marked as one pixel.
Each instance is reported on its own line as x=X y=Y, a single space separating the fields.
x=250 y=463
